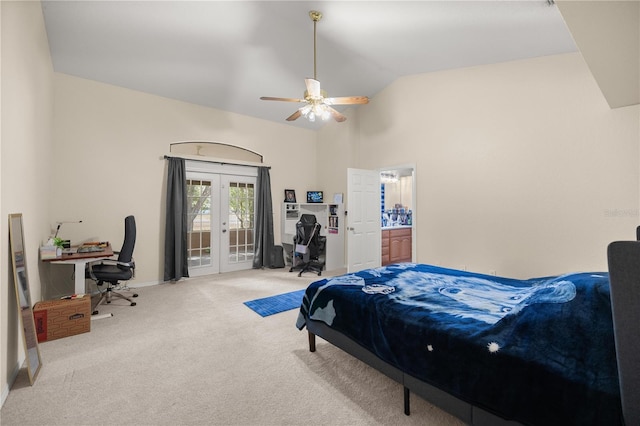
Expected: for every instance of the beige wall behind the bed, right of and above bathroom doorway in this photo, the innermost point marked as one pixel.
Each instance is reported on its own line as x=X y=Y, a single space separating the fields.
x=522 y=168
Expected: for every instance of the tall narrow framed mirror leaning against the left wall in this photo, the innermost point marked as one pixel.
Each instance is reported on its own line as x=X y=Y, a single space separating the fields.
x=23 y=297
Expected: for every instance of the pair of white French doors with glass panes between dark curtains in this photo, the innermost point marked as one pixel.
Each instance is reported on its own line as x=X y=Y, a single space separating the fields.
x=221 y=221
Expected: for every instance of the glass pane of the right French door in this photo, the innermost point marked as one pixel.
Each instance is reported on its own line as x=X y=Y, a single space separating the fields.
x=241 y=217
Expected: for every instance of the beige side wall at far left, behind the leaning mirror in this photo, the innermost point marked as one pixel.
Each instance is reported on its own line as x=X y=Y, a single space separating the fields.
x=26 y=166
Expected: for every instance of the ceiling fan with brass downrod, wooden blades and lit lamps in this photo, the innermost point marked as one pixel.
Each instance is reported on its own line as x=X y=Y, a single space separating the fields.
x=316 y=102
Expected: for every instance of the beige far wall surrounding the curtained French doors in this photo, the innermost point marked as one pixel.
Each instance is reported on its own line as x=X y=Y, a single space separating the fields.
x=113 y=139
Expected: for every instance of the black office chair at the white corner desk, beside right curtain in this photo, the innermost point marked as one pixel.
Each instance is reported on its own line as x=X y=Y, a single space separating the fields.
x=308 y=246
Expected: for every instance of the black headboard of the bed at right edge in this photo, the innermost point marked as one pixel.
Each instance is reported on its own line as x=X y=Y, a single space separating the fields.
x=624 y=276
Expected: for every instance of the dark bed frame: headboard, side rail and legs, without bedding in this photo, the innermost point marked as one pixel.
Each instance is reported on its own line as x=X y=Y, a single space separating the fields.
x=624 y=272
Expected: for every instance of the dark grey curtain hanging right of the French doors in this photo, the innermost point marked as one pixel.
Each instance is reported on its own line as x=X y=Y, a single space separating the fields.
x=264 y=251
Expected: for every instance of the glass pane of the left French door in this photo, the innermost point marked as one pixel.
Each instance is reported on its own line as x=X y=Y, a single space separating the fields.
x=199 y=222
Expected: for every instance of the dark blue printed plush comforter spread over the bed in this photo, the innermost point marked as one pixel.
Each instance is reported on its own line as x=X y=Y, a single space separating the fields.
x=540 y=351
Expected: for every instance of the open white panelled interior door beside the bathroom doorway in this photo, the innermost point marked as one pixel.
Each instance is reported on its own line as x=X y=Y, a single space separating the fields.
x=363 y=219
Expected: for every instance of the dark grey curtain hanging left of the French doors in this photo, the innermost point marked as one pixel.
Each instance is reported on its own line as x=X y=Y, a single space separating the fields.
x=175 y=240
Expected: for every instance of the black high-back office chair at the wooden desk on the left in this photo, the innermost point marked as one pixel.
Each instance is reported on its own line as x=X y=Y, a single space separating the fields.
x=113 y=271
